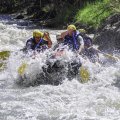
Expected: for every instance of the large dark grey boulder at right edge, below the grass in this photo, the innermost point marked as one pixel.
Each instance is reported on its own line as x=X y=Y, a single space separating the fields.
x=108 y=35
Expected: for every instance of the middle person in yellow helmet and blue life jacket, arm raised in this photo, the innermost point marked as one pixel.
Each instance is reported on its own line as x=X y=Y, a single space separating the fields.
x=72 y=39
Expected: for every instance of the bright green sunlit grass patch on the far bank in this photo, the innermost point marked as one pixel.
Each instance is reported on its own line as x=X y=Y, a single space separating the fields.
x=93 y=14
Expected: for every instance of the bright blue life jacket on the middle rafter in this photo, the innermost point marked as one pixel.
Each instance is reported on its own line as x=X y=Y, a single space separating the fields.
x=72 y=41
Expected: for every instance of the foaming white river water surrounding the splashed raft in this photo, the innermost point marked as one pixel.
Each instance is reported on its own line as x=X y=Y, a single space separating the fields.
x=98 y=99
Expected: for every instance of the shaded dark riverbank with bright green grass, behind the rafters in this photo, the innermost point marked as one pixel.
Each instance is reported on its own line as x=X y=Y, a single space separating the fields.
x=86 y=14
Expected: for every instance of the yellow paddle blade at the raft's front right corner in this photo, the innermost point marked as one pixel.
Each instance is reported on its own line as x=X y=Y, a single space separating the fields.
x=84 y=74
